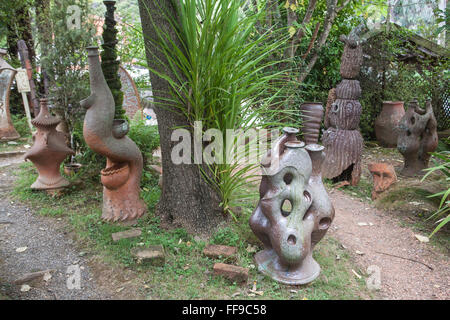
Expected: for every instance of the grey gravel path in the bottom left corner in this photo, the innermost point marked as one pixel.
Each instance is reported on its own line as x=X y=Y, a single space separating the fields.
x=47 y=247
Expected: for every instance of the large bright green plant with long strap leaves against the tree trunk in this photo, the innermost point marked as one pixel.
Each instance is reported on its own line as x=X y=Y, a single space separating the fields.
x=227 y=78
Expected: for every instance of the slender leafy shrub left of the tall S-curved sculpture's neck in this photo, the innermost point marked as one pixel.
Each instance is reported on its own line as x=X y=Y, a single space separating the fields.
x=65 y=63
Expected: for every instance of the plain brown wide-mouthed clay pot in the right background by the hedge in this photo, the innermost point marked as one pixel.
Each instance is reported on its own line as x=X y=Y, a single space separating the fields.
x=386 y=124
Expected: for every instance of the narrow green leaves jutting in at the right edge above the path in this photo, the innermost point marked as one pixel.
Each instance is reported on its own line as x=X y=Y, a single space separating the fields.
x=444 y=205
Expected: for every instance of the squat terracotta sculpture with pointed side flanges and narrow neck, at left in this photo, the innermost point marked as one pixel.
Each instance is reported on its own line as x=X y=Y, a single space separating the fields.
x=48 y=151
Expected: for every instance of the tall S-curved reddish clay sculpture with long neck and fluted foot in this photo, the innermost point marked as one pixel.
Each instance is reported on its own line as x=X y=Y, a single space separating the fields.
x=107 y=136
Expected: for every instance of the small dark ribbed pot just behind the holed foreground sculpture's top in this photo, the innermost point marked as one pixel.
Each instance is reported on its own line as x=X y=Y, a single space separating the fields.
x=312 y=114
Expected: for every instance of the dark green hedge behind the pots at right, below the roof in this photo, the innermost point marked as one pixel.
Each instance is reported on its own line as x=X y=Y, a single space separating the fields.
x=385 y=78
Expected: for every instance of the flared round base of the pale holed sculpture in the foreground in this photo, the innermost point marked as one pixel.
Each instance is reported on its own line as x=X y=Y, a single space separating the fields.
x=268 y=264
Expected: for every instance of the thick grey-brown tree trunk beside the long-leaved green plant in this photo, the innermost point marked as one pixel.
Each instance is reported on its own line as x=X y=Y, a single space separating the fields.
x=187 y=200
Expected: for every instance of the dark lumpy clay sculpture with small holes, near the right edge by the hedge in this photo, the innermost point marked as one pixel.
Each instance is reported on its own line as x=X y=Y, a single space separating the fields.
x=417 y=137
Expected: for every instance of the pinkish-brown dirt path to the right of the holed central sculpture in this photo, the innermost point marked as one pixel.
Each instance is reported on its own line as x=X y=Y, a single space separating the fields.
x=400 y=278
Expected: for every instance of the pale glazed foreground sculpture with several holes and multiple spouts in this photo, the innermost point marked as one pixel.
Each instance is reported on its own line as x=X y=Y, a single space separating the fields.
x=291 y=175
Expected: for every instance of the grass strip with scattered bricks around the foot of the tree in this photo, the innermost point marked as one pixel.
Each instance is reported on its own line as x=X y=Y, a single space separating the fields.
x=187 y=273
